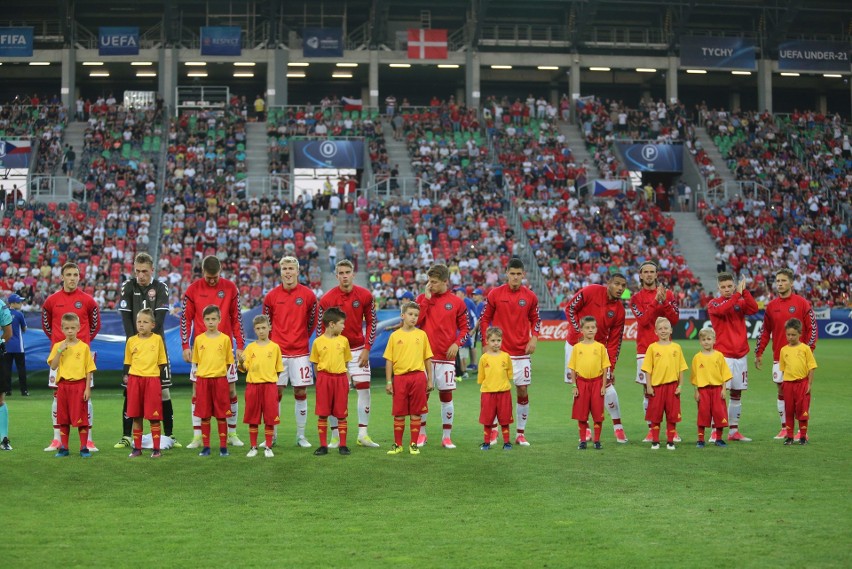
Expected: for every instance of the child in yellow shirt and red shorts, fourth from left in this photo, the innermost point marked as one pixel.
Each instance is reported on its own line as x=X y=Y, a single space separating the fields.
x=261 y=361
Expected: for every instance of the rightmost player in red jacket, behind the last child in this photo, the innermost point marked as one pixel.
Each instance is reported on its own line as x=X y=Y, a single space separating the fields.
x=778 y=311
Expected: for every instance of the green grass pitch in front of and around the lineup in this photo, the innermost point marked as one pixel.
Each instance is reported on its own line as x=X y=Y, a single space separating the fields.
x=756 y=504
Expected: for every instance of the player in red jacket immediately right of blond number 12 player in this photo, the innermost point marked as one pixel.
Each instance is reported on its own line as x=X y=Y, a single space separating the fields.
x=357 y=303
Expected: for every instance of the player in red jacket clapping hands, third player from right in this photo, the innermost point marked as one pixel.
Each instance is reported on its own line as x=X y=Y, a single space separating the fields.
x=650 y=302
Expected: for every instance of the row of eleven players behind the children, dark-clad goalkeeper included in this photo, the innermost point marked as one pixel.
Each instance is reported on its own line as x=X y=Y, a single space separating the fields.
x=295 y=313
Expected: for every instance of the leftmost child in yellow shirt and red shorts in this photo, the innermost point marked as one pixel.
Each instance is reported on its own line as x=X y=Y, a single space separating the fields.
x=72 y=359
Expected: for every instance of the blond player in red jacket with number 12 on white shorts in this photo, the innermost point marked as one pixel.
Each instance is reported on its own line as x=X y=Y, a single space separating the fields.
x=292 y=310
